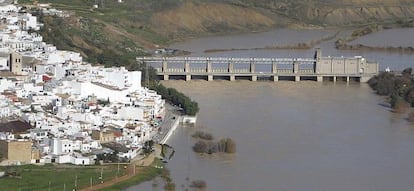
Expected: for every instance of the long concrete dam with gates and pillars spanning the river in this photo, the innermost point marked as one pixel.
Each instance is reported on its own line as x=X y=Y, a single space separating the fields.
x=318 y=68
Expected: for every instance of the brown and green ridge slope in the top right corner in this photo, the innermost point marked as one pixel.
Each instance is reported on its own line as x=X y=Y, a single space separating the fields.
x=340 y=12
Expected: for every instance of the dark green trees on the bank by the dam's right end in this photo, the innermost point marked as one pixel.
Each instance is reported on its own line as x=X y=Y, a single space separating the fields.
x=399 y=88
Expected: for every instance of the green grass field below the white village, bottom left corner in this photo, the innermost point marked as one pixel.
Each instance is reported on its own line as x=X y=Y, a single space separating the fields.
x=59 y=177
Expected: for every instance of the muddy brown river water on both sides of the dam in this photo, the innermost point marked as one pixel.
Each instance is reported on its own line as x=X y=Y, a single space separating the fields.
x=293 y=136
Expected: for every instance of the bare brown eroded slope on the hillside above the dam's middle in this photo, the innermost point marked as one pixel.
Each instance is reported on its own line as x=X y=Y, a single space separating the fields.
x=199 y=18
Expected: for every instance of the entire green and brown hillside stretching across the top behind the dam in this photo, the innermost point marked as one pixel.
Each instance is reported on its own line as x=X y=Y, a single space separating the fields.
x=115 y=32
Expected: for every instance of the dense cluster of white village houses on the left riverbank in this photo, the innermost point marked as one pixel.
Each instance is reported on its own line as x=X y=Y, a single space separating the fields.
x=56 y=108
